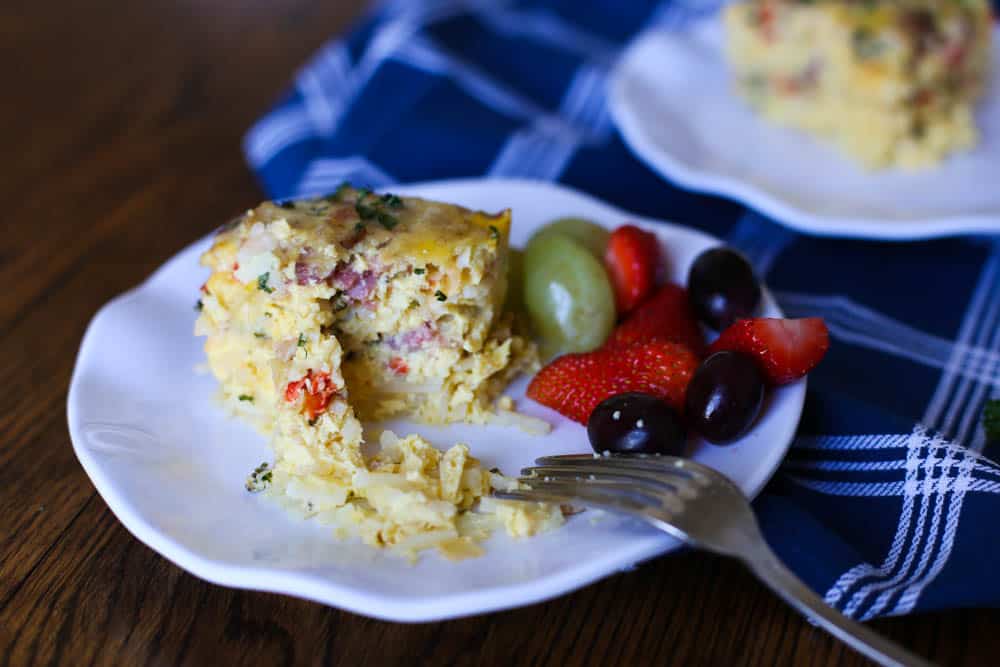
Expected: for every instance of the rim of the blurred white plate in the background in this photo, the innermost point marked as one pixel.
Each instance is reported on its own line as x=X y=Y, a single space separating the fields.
x=783 y=212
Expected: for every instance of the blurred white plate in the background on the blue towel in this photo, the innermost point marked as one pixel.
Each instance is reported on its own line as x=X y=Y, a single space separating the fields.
x=672 y=99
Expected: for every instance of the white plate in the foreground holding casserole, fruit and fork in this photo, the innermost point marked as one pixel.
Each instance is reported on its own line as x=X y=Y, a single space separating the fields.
x=171 y=466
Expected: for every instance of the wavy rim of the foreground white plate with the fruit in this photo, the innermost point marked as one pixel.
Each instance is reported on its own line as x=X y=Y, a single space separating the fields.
x=319 y=589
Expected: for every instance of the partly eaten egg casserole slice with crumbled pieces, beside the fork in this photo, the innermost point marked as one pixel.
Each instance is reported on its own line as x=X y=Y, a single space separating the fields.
x=324 y=312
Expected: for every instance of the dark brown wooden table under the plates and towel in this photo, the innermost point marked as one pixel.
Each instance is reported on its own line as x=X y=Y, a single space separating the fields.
x=121 y=130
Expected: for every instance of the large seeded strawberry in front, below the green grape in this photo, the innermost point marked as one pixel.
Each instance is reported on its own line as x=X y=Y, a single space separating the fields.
x=574 y=384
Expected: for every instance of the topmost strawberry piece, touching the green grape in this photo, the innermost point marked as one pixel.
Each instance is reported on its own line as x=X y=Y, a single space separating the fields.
x=632 y=258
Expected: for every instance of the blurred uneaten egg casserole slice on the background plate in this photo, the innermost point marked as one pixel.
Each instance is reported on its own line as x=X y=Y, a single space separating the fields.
x=892 y=82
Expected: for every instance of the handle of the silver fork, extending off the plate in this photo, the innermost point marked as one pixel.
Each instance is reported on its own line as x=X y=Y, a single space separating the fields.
x=769 y=569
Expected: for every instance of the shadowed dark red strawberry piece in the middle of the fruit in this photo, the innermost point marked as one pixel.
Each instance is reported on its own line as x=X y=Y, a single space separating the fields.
x=666 y=315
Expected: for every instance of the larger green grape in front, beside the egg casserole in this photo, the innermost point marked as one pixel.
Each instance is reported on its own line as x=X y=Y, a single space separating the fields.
x=567 y=294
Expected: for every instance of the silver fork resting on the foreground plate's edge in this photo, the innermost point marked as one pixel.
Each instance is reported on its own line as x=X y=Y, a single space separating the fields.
x=701 y=507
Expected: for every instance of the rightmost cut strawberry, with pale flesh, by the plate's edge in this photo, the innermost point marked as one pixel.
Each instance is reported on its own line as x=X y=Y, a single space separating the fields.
x=785 y=349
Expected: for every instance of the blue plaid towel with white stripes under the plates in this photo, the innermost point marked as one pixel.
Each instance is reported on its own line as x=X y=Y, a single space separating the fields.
x=887 y=499
